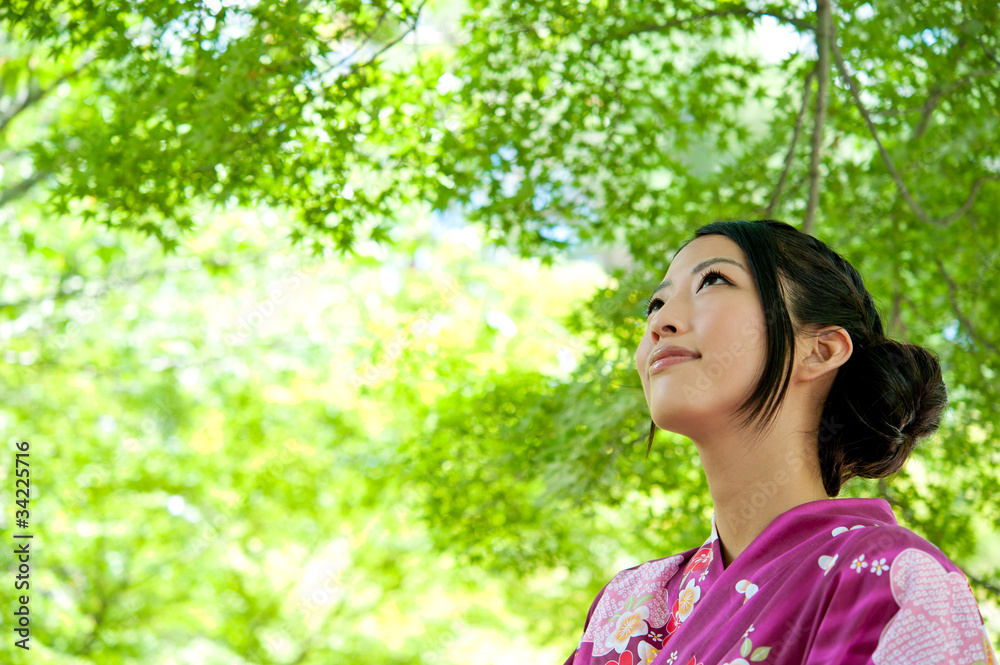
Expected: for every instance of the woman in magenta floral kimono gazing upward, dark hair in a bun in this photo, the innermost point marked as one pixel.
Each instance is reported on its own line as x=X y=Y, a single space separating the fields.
x=764 y=348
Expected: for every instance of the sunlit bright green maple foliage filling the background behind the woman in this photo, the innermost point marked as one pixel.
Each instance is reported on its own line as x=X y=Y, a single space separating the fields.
x=262 y=438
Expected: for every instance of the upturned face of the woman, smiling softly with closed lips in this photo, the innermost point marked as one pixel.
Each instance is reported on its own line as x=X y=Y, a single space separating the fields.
x=721 y=320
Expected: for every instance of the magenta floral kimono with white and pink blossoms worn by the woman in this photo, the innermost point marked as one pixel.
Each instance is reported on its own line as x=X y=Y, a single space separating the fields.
x=836 y=581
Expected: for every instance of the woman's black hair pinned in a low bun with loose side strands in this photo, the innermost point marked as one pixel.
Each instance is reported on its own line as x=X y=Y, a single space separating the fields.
x=888 y=394
